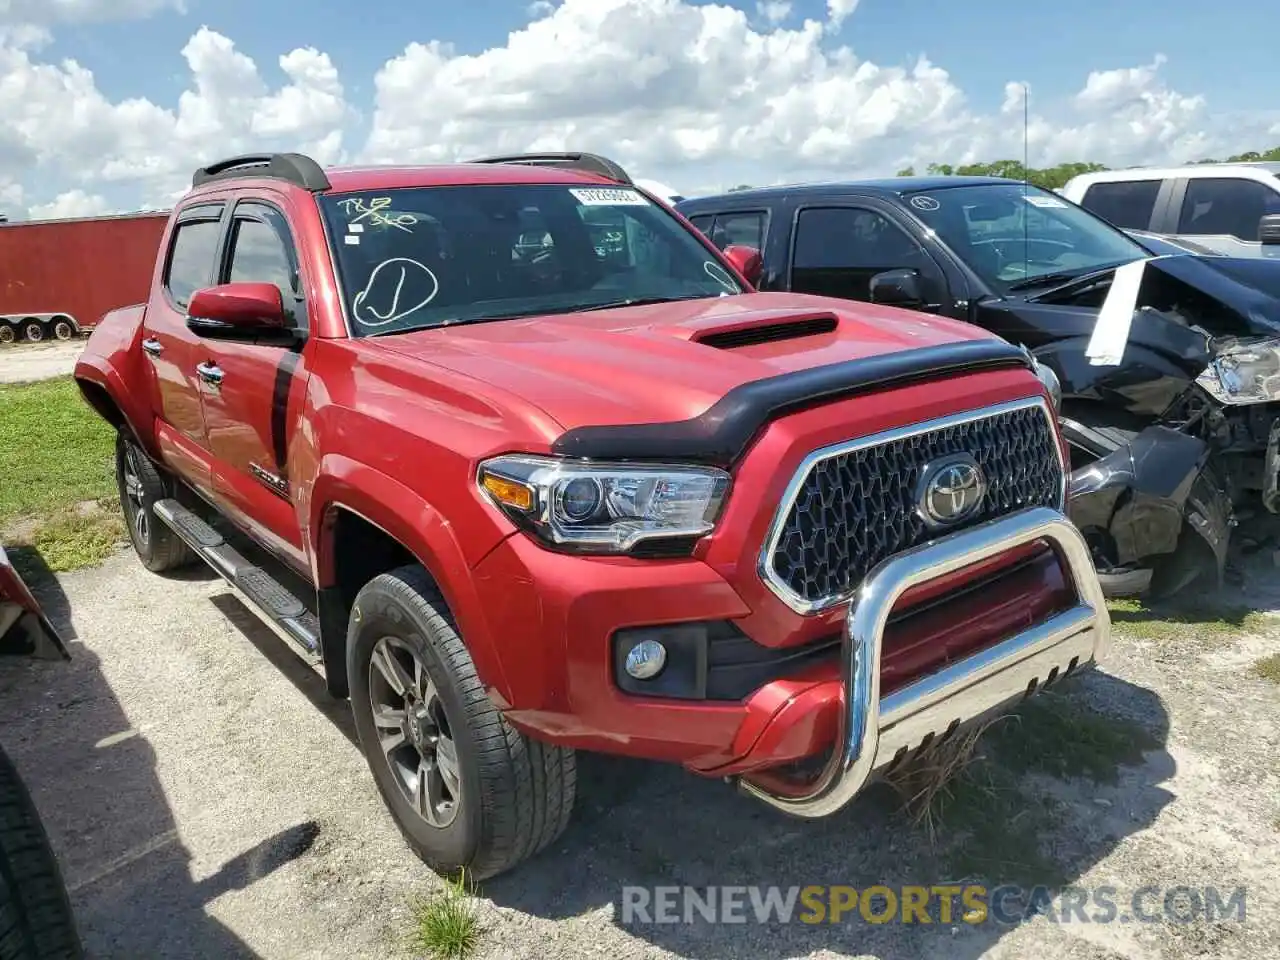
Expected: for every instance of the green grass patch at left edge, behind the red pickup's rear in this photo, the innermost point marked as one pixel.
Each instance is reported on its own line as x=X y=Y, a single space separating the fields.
x=58 y=458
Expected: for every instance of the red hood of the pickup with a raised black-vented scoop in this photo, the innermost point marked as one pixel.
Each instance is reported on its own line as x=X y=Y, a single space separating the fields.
x=655 y=363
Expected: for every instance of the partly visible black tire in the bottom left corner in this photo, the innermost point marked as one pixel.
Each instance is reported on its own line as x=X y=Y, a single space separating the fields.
x=36 y=920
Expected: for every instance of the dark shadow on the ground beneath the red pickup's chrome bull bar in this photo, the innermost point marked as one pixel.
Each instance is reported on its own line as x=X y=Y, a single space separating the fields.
x=648 y=826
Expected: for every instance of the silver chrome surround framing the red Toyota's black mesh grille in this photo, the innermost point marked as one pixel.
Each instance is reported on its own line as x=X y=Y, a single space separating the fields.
x=765 y=564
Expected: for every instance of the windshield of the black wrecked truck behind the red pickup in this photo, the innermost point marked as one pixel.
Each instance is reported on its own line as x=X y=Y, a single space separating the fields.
x=1016 y=236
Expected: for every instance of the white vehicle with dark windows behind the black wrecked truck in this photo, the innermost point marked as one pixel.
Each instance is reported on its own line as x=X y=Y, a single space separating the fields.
x=1231 y=208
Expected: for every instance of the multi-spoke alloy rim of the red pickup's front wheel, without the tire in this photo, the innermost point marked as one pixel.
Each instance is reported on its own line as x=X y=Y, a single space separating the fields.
x=414 y=733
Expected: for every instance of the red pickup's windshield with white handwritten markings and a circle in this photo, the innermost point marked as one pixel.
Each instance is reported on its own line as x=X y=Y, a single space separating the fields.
x=431 y=257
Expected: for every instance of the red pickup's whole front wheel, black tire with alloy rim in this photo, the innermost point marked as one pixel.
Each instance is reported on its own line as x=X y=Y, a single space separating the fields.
x=465 y=788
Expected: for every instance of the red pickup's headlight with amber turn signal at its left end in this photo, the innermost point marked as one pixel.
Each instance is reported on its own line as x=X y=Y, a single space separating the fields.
x=604 y=508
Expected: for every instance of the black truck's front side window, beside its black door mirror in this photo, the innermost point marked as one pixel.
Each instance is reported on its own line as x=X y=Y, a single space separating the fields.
x=838 y=252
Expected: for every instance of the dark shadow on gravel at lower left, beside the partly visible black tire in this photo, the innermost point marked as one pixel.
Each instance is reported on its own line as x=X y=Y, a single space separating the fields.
x=124 y=862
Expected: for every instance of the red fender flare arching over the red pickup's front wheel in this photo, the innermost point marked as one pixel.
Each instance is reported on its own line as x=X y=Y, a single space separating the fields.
x=400 y=513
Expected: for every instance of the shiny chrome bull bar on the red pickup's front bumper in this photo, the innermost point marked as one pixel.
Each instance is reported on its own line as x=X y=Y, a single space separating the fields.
x=872 y=733
